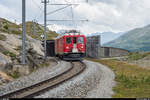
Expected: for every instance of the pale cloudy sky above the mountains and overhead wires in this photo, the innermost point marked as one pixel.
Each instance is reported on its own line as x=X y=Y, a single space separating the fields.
x=103 y=15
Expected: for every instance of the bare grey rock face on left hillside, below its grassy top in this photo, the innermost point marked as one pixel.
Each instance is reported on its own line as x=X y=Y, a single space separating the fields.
x=10 y=54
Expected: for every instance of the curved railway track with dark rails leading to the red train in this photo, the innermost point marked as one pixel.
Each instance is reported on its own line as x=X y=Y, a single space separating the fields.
x=36 y=89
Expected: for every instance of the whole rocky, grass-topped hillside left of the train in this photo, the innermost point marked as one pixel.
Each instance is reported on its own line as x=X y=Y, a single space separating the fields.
x=10 y=50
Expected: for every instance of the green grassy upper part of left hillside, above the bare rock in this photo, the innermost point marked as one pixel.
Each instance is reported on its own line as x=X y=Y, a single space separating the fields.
x=12 y=28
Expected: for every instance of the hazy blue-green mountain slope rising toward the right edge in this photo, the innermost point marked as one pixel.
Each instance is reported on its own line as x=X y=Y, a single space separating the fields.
x=134 y=40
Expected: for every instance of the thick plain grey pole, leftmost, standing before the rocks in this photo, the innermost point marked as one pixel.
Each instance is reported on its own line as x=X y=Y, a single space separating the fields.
x=23 y=32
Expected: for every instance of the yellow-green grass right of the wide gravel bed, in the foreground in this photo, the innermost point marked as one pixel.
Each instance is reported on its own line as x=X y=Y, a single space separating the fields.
x=132 y=81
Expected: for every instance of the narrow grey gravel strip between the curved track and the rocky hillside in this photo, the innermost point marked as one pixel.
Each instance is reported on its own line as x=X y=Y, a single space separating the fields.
x=35 y=77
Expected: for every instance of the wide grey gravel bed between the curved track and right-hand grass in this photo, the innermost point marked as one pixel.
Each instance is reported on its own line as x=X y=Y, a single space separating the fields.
x=95 y=82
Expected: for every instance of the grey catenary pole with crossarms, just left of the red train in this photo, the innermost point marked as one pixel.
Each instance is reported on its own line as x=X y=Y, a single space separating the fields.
x=45 y=25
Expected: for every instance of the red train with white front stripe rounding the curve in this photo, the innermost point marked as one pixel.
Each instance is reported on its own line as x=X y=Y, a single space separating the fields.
x=70 y=45
